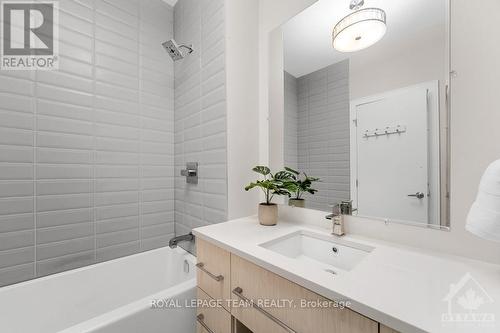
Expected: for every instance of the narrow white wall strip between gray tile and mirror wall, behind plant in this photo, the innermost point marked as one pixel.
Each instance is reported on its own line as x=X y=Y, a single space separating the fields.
x=242 y=75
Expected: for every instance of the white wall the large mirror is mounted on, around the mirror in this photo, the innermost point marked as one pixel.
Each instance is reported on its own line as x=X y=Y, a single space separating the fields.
x=474 y=122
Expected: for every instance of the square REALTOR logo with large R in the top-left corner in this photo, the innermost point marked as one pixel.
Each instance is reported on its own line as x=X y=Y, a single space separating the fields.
x=29 y=35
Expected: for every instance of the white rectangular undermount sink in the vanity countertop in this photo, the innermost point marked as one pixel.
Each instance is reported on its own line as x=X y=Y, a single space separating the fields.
x=323 y=251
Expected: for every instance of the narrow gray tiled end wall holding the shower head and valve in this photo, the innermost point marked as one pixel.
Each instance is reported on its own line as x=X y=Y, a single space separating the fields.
x=200 y=114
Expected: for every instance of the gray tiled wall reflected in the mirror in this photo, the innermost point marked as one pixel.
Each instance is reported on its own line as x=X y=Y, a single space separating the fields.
x=323 y=132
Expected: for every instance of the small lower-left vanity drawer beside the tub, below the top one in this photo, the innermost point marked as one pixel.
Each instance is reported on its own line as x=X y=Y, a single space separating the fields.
x=216 y=319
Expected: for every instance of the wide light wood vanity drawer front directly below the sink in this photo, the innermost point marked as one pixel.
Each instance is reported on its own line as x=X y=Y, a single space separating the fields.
x=258 y=284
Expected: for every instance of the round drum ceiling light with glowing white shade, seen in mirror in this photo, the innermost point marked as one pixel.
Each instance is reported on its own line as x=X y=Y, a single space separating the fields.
x=360 y=29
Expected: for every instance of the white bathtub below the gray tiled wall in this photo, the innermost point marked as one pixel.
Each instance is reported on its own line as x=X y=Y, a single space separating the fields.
x=110 y=297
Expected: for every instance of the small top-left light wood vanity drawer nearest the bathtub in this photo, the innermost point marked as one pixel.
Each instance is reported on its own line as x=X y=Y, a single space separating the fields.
x=213 y=270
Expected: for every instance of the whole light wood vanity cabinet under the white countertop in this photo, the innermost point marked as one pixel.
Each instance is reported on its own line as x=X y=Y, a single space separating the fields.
x=264 y=302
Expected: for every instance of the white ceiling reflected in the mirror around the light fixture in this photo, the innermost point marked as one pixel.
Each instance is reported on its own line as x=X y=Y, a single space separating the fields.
x=308 y=39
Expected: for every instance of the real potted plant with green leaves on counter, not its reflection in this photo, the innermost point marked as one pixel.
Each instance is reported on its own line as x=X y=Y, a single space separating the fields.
x=271 y=185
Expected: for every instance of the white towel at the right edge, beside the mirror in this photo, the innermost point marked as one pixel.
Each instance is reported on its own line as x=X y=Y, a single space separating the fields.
x=484 y=216
